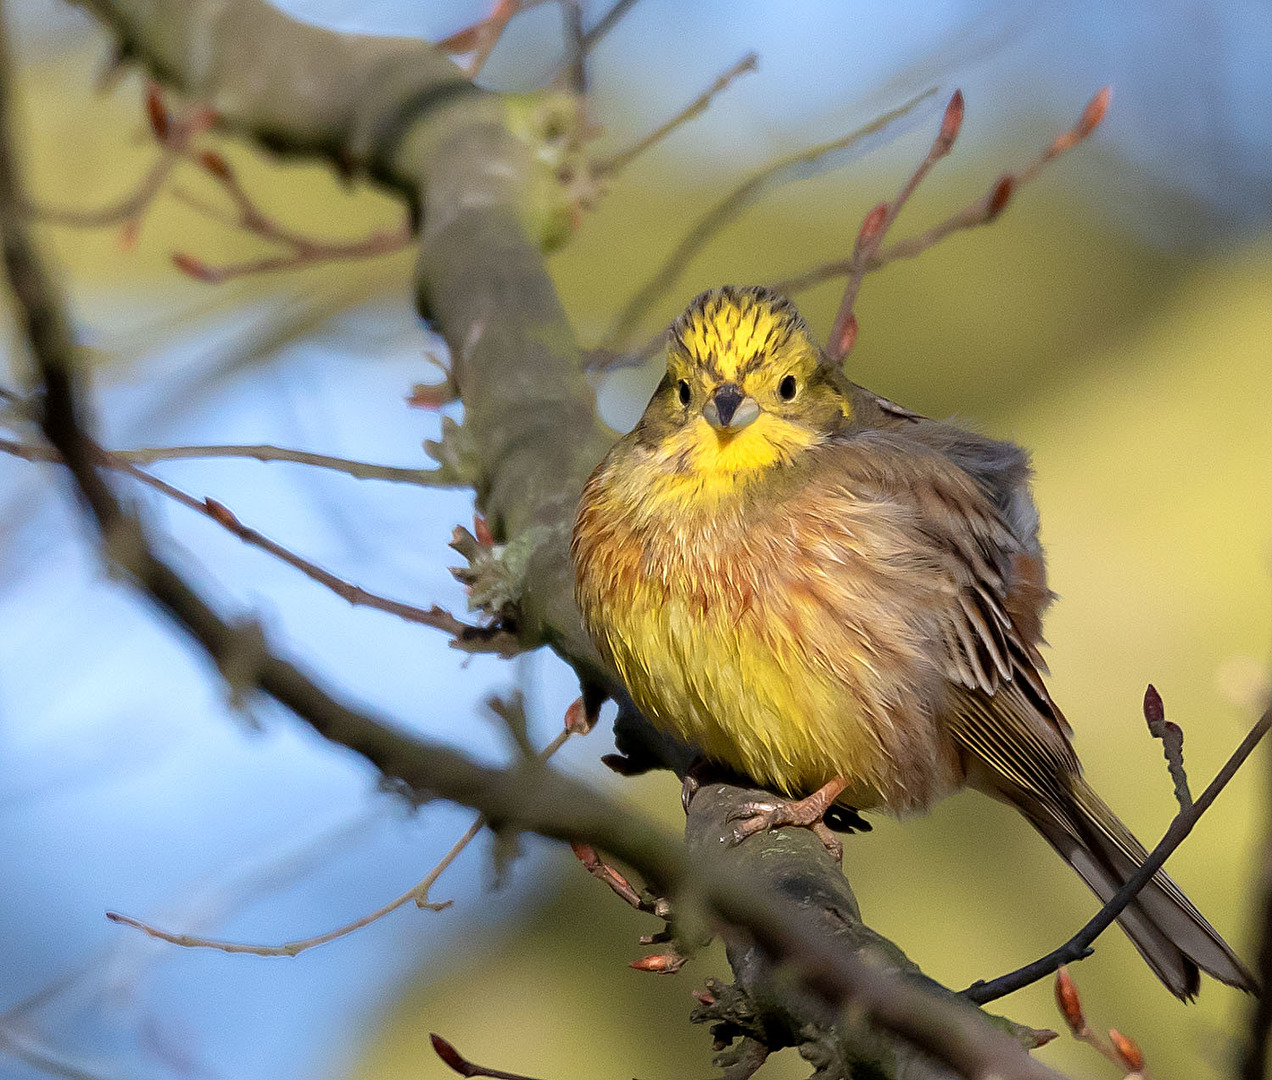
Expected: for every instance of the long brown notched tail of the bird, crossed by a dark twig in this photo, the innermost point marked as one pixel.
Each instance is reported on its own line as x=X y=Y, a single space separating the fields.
x=1171 y=934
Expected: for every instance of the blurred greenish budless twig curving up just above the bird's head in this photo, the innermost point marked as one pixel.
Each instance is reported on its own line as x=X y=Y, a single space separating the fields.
x=726 y=212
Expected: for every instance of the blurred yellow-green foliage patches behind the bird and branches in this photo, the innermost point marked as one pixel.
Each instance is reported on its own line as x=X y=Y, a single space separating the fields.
x=1140 y=380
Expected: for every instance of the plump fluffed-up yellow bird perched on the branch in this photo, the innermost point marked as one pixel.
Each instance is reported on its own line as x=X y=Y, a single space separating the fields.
x=843 y=601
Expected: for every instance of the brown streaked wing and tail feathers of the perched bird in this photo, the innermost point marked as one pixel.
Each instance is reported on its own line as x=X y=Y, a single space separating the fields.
x=999 y=712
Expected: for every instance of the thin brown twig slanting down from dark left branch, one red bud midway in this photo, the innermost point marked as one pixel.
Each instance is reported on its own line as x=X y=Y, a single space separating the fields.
x=474 y=639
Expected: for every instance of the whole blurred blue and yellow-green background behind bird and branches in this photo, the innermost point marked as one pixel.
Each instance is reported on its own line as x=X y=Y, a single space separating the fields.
x=1116 y=320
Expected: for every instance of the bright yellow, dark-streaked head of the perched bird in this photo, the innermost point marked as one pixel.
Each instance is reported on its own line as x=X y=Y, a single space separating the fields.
x=746 y=387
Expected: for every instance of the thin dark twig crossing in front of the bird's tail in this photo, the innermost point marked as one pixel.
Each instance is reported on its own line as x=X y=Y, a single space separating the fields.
x=1079 y=947
